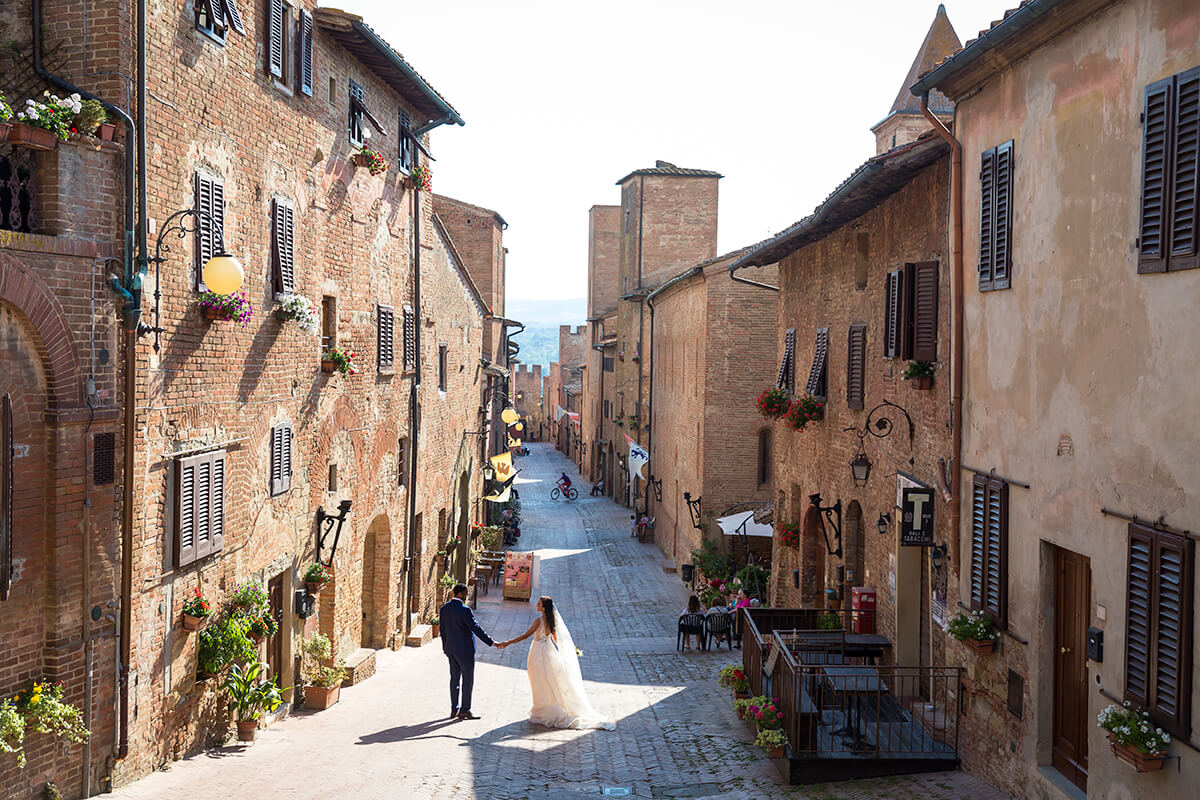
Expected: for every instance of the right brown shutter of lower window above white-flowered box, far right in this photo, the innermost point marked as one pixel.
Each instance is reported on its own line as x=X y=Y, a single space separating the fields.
x=1173 y=633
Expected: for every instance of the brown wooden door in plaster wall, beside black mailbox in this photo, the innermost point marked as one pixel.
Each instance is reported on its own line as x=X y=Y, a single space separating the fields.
x=1073 y=593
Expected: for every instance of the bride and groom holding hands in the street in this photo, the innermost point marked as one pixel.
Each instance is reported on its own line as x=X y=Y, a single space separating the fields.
x=556 y=682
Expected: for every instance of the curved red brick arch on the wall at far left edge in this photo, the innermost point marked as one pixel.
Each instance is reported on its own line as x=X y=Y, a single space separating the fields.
x=31 y=296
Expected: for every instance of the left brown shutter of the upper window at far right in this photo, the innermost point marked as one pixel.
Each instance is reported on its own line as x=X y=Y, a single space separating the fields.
x=1156 y=178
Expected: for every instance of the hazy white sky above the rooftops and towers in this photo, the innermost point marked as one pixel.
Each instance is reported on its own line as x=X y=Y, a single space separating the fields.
x=563 y=99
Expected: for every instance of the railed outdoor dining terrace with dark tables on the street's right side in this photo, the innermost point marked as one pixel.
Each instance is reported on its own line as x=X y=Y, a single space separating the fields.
x=845 y=715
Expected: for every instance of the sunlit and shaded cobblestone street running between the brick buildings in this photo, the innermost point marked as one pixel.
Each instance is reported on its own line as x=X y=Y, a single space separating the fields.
x=677 y=735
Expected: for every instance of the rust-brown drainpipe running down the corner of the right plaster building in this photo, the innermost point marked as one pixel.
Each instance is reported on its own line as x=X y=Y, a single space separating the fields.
x=957 y=327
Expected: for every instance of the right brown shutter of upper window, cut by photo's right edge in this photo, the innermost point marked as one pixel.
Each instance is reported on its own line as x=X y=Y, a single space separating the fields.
x=1185 y=226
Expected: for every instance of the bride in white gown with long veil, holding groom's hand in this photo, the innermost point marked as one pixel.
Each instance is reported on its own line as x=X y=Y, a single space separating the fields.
x=556 y=682
